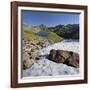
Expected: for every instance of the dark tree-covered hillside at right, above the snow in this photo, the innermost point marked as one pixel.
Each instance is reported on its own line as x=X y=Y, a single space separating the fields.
x=69 y=31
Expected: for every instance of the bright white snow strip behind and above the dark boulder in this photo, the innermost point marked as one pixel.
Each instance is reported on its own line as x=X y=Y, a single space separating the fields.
x=69 y=46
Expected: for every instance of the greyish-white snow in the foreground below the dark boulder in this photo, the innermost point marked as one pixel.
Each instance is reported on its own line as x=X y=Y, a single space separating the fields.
x=46 y=67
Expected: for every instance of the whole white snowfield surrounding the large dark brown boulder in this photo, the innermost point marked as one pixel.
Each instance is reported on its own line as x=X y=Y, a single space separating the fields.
x=45 y=67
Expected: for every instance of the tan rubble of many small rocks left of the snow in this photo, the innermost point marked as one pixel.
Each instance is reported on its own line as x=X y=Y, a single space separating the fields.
x=31 y=51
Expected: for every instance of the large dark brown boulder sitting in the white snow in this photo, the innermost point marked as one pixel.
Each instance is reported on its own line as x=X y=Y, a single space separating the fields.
x=66 y=57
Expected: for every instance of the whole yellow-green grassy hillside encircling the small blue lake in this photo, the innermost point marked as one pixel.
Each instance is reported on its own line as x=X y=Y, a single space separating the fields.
x=31 y=33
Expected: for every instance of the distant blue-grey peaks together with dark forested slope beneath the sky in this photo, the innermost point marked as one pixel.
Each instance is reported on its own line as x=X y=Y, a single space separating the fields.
x=69 y=31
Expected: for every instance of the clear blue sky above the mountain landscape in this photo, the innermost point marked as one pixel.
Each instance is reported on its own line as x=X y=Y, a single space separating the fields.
x=34 y=18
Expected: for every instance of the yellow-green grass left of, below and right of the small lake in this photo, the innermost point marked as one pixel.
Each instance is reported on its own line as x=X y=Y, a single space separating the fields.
x=29 y=33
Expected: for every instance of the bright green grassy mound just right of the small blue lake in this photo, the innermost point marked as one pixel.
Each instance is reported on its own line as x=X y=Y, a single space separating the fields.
x=53 y=36
